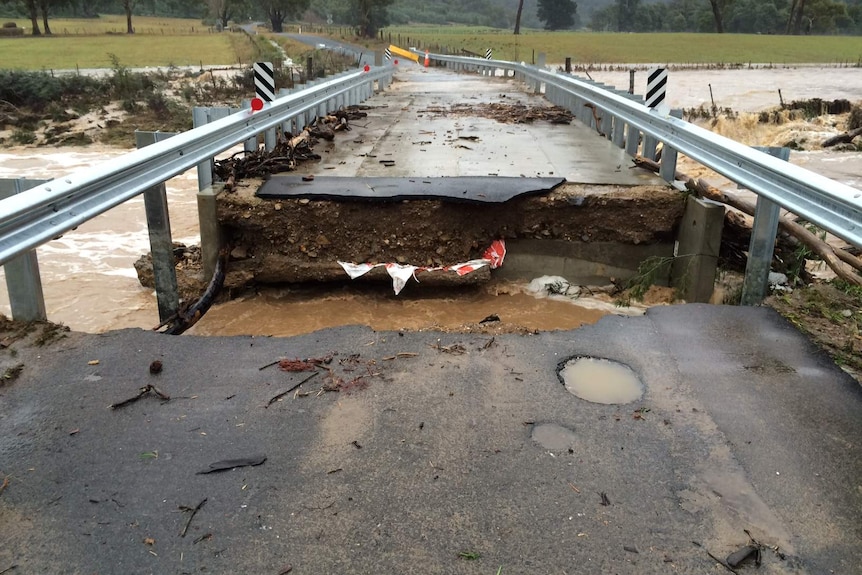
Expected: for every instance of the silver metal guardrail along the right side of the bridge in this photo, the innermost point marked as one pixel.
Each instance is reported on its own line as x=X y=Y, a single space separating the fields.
x=833 y=206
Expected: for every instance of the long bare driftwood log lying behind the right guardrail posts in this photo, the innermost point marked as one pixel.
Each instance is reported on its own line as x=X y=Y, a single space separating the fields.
x=838 y=260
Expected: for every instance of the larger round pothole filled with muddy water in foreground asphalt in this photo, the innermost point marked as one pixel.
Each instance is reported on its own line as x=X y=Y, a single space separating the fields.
x=601 y=380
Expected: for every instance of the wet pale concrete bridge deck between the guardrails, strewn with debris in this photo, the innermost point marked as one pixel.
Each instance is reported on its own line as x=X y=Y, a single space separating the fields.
x=428 y=123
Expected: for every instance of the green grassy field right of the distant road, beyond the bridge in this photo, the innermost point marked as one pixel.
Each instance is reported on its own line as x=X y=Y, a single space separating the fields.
x=606 y=48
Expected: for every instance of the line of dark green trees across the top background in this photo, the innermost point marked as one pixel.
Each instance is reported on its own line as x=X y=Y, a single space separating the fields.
x=369 y=16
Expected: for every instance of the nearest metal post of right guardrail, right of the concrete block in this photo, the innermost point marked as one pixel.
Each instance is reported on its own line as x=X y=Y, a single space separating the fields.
x=762 y=243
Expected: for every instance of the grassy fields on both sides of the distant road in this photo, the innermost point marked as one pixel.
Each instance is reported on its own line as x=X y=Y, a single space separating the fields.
x=175 y=41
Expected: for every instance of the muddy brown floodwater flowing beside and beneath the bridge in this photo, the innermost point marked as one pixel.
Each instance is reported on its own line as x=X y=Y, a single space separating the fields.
x=90 y=283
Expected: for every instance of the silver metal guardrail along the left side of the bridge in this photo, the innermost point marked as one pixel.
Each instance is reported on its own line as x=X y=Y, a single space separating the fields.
x=40 y=214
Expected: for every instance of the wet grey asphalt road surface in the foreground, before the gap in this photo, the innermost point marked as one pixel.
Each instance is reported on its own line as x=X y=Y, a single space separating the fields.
x=425 y=461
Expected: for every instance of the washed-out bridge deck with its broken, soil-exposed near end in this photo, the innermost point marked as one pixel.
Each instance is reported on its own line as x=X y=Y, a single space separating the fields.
x=438 y=167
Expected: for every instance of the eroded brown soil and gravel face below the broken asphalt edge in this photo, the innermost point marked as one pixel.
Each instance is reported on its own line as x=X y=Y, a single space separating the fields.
x=299 y=240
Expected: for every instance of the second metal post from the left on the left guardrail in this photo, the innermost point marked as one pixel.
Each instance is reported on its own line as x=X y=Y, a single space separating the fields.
x=161 y=244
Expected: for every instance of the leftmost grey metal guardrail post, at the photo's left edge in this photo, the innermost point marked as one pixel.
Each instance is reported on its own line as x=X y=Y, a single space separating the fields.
x=23 y=282
